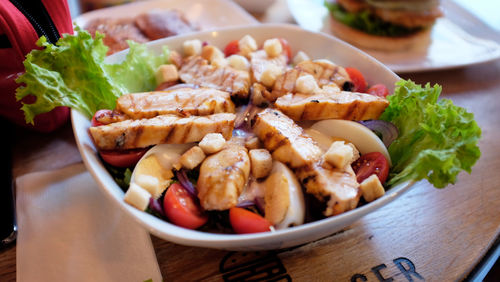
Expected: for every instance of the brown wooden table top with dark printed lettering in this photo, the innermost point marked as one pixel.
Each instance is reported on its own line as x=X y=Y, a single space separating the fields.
x=428 y=233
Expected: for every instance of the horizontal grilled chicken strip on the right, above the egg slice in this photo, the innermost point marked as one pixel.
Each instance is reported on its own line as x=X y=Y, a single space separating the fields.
x=332 y=105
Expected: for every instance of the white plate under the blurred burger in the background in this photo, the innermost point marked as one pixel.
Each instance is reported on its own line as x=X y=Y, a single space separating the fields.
x=450 y=46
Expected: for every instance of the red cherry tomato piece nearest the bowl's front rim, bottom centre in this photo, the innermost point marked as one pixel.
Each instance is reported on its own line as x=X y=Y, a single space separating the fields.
x=244 y=221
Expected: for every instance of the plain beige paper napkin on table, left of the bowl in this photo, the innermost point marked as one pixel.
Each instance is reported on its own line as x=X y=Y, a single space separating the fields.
x=69 y=231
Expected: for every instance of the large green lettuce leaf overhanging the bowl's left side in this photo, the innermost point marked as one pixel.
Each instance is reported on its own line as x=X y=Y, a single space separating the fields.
x=73 y=73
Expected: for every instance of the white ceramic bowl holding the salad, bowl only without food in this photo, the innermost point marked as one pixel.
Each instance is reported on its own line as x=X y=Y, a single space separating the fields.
x=317 y=46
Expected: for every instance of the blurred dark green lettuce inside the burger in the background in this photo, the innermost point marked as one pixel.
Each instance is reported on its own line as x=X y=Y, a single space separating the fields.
x=367 y=22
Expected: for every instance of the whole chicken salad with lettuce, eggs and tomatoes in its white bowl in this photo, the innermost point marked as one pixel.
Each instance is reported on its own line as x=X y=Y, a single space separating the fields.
x=249 y=138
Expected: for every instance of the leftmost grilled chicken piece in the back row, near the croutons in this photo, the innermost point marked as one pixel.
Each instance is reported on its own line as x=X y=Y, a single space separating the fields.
x=196 y=70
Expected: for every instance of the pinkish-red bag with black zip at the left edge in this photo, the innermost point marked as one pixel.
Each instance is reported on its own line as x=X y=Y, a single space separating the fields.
x=21 y=24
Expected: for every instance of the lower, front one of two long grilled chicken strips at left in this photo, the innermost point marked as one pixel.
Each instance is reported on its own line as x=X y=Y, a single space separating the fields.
x=171 y=129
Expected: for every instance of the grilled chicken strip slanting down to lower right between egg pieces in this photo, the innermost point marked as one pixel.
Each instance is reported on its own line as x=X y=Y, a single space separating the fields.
x=290 y=145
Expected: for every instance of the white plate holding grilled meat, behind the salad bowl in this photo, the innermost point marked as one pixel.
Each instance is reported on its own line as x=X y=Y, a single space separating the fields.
x=206 y=14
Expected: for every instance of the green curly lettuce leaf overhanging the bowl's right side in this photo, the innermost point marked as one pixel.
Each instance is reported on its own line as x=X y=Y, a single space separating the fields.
x=436 y=139
